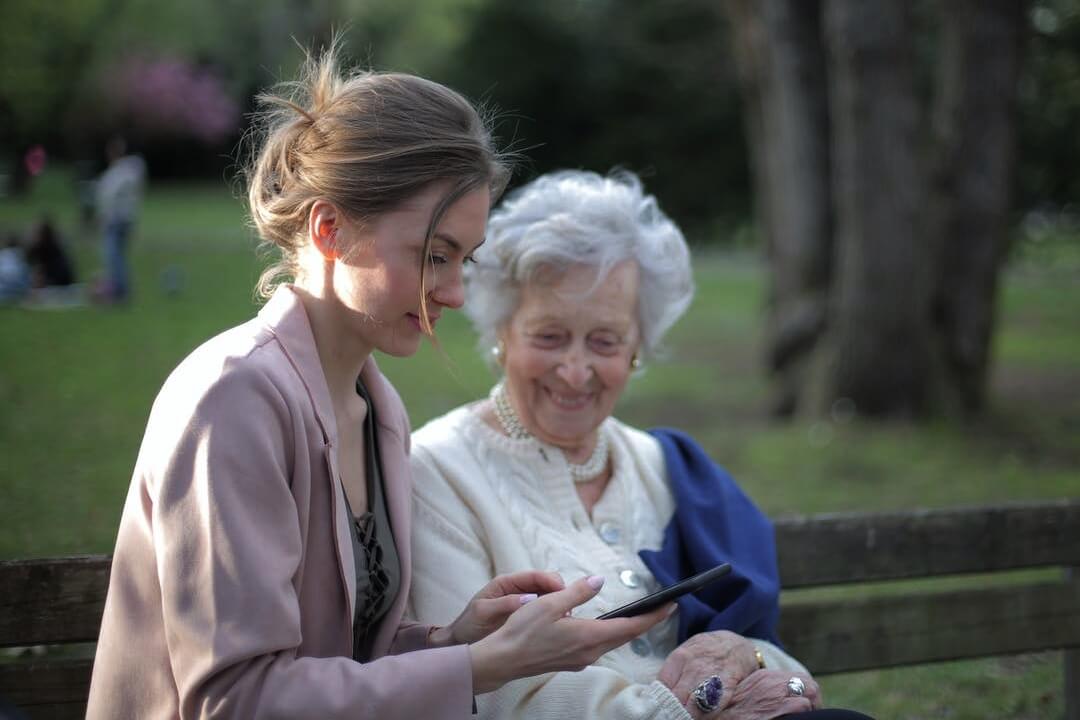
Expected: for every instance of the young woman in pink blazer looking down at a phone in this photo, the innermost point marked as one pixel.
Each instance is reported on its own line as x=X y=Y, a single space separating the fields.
x=263 y=561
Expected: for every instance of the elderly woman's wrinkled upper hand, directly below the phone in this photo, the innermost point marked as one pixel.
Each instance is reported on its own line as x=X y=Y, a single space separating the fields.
x=722 y=653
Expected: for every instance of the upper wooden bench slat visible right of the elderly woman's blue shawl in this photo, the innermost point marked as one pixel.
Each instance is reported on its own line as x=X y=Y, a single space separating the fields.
x=829 y=550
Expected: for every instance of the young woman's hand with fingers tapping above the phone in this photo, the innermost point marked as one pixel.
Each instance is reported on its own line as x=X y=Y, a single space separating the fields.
x=494 y=604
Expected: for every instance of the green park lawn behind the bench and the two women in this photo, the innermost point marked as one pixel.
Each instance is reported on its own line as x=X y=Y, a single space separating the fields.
x=76 y=387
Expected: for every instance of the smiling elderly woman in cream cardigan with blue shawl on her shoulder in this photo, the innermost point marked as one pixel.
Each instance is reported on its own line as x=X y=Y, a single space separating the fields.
x=579 y=280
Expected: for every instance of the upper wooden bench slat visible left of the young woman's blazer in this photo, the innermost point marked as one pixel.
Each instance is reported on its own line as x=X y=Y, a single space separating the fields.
x=58 y=601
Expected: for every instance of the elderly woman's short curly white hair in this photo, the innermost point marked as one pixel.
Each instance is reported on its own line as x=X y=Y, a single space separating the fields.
x=580 y=219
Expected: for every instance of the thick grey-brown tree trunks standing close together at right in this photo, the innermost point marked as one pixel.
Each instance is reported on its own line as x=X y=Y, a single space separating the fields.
x=897 y=290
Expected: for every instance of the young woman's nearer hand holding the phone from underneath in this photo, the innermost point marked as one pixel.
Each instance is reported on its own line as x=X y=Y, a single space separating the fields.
x=543 y=637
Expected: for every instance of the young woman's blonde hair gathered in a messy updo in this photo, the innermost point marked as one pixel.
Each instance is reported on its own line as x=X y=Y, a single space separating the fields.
x=367 y=142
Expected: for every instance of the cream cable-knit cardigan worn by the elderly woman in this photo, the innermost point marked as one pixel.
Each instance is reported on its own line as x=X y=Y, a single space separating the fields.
x=487 y=505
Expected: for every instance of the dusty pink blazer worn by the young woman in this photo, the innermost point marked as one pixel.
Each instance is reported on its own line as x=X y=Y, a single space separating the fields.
x=233 y=586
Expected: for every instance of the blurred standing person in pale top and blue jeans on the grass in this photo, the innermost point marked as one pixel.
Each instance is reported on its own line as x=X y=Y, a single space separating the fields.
x=119 y=194
